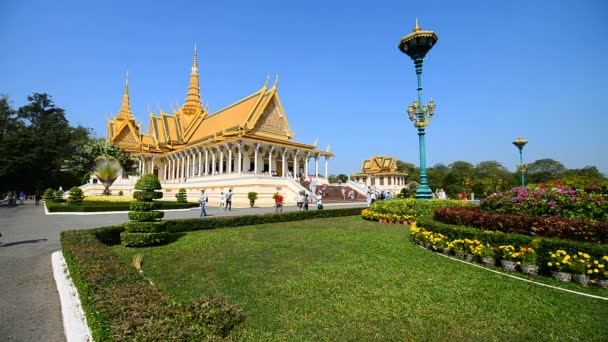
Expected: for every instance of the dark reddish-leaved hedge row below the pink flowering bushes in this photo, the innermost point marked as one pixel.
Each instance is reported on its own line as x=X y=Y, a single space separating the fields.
x=569 y=229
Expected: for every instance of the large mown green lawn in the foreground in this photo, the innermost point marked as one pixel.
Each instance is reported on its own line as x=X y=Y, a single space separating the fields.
x=350 y=279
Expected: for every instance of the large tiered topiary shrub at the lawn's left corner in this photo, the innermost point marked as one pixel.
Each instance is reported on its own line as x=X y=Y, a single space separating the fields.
x=144 y=229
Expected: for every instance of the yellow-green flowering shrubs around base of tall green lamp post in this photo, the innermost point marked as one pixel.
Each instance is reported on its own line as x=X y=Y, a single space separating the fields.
x=413 y=207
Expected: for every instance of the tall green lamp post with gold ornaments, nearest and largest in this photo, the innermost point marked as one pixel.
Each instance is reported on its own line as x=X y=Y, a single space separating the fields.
x=416 y=45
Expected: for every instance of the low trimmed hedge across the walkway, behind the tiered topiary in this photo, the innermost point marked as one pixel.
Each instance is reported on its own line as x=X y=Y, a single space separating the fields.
x=91 y=206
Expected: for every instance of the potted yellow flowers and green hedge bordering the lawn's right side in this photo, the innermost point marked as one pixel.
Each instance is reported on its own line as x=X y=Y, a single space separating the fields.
x=524 y=252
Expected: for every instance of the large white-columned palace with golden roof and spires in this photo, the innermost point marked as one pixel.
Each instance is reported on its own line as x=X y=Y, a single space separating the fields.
x=246 y=146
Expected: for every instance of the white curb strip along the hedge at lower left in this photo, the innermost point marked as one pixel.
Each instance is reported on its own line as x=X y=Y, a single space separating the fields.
x=74 y=320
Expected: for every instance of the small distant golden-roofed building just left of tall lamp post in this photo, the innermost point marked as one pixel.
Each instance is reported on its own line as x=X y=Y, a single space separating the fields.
x=381 y=173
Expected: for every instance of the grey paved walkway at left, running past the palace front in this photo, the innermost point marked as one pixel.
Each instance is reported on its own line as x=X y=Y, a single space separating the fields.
x=29 y=303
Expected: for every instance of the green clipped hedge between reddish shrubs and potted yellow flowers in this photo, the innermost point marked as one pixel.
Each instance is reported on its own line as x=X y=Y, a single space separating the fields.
x=544 y=246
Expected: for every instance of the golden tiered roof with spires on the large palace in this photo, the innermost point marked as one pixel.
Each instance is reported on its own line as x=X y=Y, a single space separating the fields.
x=257 y=117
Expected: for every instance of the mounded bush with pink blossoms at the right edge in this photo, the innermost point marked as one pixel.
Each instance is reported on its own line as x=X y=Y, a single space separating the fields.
x=547 y=202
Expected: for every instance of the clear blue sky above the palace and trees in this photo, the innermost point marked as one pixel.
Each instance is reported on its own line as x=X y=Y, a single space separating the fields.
x=499 y=70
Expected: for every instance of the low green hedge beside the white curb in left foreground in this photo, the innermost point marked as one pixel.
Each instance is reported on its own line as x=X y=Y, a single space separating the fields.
x=121 y=305
